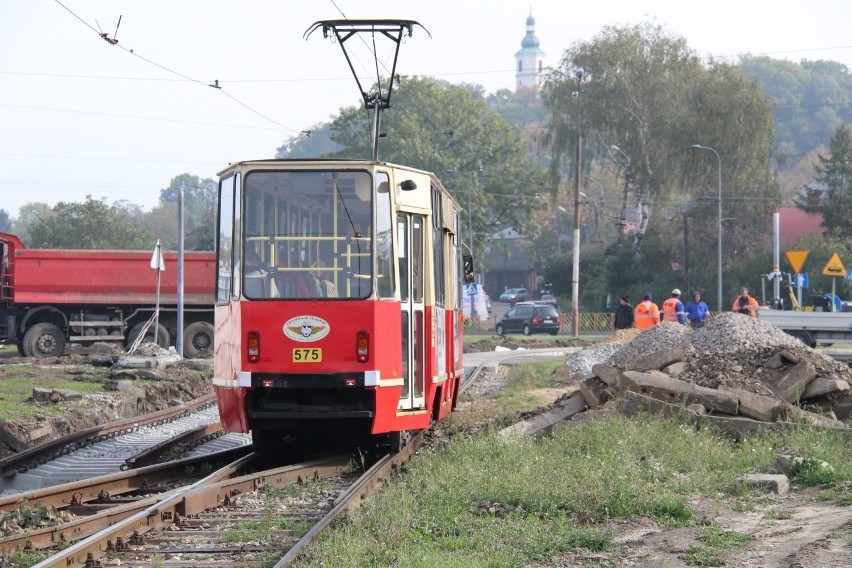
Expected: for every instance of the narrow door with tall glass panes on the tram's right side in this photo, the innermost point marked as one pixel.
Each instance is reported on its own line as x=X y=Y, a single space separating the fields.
x=411 y=232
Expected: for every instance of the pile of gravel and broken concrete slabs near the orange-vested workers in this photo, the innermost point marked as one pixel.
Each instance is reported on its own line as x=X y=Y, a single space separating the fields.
x=735 y=366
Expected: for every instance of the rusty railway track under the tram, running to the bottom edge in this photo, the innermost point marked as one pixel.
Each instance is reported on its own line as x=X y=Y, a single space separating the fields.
x=141 y=518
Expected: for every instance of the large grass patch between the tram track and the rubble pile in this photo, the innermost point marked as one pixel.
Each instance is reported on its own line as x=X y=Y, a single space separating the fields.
x=489 y=501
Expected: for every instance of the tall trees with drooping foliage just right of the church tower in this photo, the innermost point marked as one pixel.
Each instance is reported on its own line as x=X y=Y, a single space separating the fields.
x=647 y=92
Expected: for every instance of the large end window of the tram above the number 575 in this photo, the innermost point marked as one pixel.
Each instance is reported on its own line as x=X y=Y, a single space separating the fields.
x=307 y=234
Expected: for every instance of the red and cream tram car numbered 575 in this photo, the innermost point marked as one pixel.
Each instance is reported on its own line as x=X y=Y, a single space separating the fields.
x=338 y=309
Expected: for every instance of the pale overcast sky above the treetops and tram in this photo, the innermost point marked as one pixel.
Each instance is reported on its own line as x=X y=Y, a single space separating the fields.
x=79 y=116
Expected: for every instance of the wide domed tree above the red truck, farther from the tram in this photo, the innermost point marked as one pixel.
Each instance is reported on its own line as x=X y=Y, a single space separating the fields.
x=89 y=225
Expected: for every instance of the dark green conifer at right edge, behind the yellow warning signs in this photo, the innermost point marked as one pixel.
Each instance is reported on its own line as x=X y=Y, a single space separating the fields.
x=833 y=182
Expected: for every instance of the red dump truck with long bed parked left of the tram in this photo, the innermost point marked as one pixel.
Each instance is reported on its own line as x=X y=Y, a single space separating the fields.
x=50 y=298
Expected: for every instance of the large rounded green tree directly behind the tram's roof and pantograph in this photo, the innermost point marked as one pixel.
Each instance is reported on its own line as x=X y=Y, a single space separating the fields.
x=449 y=130
